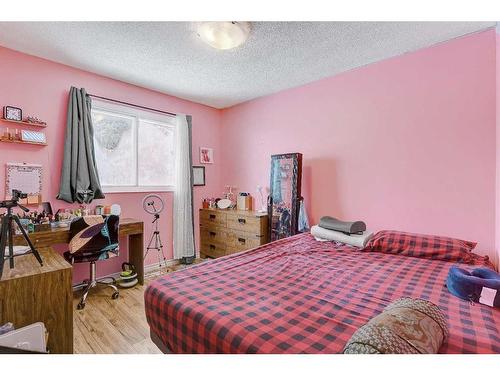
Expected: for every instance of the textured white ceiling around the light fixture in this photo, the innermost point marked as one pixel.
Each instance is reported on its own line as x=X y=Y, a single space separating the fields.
x=169 y=57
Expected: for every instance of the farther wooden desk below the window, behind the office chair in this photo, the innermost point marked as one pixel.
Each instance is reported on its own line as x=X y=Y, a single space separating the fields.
x=133 y=229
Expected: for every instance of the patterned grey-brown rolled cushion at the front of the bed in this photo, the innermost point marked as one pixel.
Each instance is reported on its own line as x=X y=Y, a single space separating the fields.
x=406 y=326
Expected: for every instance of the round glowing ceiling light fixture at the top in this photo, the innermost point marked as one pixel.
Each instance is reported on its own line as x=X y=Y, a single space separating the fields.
x=224 y=35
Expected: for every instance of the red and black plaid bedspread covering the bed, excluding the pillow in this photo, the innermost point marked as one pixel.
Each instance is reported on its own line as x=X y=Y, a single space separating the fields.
x=298 y=295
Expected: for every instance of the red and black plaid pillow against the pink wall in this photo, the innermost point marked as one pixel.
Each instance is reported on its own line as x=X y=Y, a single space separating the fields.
x=421 y=246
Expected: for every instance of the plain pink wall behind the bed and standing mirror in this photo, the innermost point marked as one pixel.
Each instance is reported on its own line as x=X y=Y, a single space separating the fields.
x=407 y=143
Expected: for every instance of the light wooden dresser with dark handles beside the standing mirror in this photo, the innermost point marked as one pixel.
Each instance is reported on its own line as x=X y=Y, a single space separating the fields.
x=224 y=232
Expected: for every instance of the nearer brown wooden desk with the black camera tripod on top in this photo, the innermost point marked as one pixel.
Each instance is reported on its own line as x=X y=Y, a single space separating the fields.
x=30 y=293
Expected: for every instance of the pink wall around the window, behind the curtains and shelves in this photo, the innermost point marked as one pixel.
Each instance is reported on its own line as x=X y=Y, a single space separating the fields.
x=41 y=87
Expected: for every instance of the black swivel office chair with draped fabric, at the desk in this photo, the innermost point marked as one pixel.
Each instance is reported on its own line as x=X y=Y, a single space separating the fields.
x=93 y=238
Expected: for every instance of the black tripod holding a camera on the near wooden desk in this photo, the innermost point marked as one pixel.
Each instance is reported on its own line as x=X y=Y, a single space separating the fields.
x=7 y=230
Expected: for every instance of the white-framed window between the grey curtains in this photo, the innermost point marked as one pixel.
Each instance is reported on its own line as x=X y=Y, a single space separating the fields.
x=134 y=149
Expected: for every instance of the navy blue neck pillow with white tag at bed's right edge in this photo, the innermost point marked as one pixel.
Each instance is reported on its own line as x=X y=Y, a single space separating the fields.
x=481 y=285
